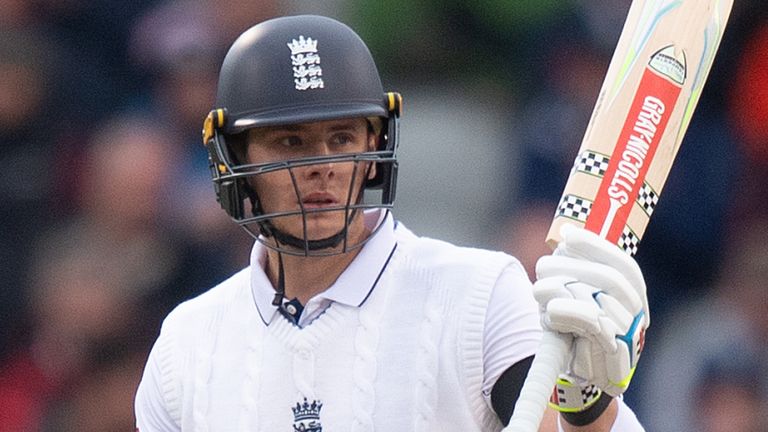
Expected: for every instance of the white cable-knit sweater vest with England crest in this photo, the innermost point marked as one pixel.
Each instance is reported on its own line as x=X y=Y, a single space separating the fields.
x=409 y=359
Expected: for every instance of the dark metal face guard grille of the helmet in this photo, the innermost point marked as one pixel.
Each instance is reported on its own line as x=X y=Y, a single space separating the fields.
x=233 y=189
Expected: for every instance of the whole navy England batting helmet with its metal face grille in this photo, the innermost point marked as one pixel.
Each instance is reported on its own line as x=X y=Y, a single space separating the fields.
x=293 y=70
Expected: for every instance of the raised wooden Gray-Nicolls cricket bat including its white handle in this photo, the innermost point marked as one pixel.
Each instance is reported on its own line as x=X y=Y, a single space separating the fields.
x=653 y=84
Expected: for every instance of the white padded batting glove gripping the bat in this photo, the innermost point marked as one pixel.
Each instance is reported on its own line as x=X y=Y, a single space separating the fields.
x=591 y=289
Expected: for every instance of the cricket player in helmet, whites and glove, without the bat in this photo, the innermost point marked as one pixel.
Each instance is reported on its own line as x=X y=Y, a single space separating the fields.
x=345 y=320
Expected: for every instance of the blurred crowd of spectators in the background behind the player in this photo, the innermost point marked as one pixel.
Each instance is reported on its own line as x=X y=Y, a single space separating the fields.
x=108 y=218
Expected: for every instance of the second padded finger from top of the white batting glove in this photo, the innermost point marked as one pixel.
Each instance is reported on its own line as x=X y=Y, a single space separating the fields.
x=599 y=276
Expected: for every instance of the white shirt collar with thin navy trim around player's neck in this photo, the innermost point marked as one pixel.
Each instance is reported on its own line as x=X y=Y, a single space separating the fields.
x=352 y=287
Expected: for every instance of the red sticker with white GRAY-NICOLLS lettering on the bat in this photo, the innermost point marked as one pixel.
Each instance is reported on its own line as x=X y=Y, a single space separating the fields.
x=644 y=126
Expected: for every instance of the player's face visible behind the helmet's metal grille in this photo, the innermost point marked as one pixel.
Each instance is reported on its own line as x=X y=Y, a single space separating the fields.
x=318 y=189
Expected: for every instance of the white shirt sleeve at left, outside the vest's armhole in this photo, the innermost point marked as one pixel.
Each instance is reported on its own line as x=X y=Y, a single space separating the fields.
x=151 y=408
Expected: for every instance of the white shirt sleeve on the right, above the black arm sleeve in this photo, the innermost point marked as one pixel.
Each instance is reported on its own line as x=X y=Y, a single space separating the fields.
x=512 y=326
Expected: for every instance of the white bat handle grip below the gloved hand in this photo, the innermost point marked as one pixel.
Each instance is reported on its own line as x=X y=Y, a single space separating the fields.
x=547 y=365
